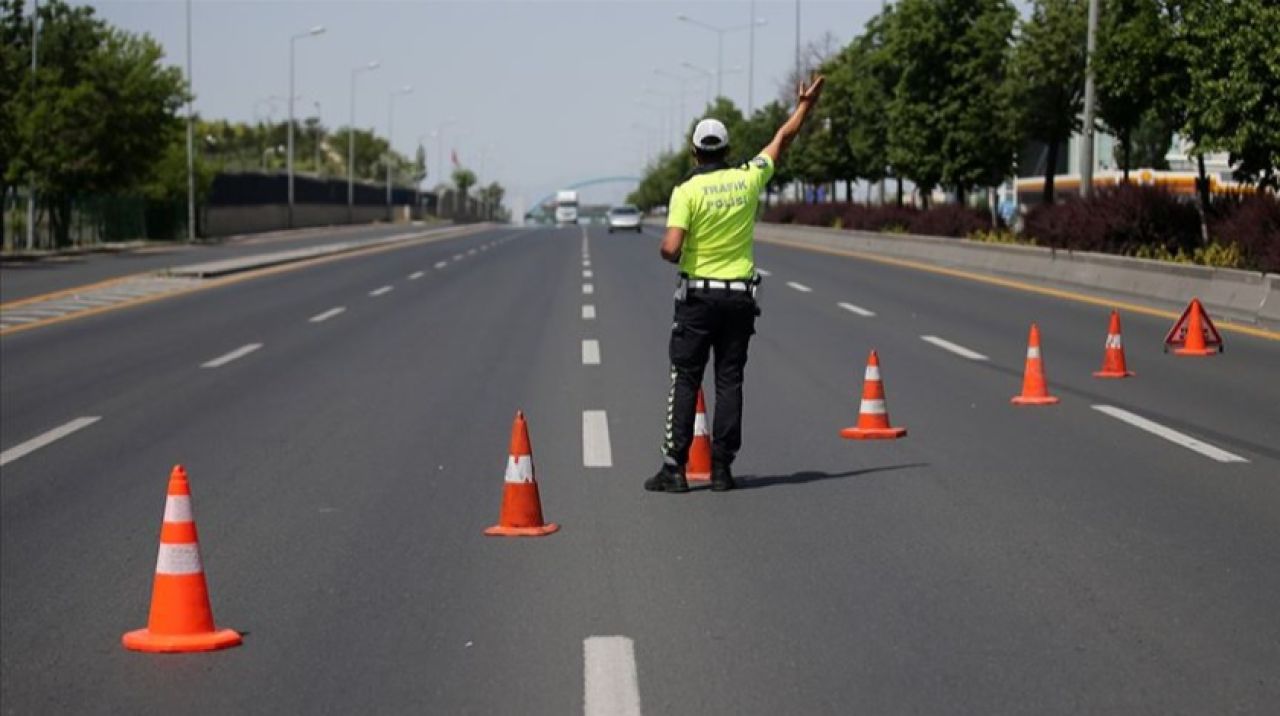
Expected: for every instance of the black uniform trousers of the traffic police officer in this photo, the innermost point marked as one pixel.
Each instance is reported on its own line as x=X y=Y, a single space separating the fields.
x=708 y=321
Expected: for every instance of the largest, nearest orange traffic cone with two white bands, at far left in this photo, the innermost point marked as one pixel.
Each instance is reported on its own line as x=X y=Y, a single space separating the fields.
x=181 y=618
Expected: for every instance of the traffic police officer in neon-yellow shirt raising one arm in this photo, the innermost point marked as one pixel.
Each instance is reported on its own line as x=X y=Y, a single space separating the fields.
x=711 y=227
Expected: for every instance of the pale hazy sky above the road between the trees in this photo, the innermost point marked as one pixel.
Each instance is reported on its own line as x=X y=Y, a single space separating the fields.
x=545 y=93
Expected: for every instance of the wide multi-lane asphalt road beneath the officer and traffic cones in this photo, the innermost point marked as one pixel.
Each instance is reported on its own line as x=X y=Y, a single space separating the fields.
x=998 y=560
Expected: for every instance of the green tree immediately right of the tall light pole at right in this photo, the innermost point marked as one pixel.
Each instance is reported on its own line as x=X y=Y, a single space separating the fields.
x=1135 y=67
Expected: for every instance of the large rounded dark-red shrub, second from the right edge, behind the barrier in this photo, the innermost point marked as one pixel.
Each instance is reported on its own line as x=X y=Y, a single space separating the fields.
x=1118 y=221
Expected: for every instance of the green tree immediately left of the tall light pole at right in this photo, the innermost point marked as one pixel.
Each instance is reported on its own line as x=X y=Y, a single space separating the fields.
x=1048 y=77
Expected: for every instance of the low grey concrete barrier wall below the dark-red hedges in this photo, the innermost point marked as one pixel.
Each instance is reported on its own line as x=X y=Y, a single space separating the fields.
x=1249 y=297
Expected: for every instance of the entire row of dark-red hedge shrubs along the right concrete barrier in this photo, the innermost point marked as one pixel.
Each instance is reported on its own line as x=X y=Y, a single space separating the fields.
x=1131 y=221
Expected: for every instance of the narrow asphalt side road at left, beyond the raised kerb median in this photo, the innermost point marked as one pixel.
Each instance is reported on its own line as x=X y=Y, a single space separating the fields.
x=24 y=280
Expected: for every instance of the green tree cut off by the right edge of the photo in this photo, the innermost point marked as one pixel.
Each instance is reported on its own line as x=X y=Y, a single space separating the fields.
x=1233 y=106
